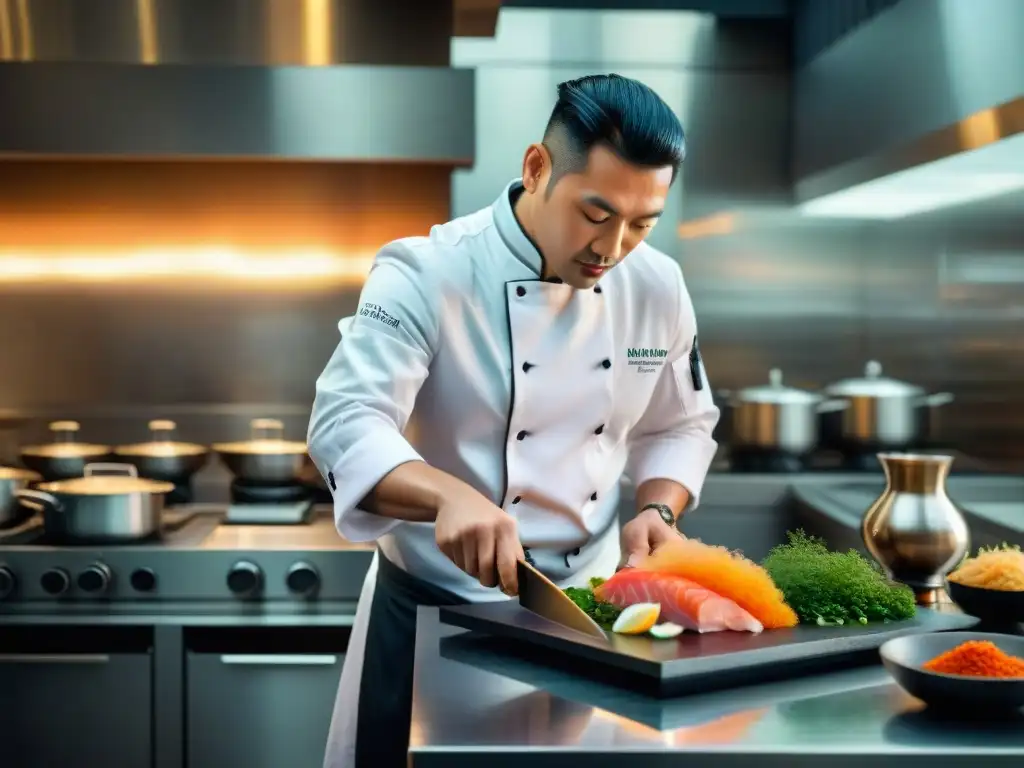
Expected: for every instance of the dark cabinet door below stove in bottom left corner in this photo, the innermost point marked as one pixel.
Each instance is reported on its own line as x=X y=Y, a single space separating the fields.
x=75 y=710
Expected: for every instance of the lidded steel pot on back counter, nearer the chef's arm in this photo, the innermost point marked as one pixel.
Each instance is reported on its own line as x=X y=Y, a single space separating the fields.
x=777 y=418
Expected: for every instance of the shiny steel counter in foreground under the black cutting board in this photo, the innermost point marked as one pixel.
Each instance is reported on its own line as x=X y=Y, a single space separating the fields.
x=476 y=704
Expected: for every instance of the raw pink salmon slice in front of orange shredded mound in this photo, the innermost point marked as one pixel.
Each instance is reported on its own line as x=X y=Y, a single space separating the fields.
x=684 y=603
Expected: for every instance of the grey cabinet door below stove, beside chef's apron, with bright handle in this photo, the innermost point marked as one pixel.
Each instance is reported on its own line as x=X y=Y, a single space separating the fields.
x=262 y=708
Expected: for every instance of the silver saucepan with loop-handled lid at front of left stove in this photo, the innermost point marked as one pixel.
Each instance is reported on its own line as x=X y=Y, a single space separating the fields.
x=110 y=503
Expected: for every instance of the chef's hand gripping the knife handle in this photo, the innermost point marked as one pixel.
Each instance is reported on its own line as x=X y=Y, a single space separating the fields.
x=480 y=538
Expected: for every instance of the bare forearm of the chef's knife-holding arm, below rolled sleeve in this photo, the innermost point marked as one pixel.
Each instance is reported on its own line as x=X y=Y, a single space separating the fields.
x=412 y=492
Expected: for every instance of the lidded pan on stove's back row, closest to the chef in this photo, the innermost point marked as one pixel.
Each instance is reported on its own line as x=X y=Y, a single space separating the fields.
x=268 y=458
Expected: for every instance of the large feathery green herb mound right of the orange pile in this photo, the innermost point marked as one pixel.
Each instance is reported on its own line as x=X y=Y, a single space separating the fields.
x=835 y=588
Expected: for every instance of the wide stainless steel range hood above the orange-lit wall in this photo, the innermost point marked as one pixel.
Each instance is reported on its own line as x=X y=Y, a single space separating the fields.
x=334 y=80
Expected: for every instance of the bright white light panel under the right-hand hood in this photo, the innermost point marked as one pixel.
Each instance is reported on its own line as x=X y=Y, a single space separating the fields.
x=973 y=177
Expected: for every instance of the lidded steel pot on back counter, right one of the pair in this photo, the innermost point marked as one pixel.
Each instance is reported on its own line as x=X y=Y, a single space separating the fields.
x=884 y=414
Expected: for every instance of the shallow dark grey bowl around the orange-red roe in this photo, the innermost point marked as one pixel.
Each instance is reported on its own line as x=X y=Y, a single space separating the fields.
x=906 y=657
